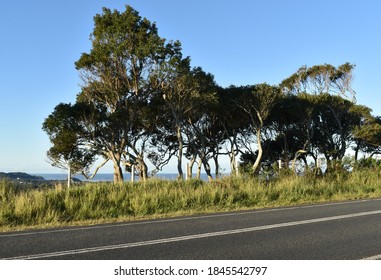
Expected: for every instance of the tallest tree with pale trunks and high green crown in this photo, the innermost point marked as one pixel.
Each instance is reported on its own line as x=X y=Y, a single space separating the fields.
x=116 y=73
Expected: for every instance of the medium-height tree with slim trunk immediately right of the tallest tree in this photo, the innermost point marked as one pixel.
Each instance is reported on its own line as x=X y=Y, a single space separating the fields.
x=183 y=92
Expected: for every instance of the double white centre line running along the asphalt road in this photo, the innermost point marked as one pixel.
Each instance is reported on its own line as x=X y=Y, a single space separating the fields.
x=191 y=237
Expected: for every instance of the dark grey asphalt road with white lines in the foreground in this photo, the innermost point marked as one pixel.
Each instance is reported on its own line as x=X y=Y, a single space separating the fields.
x=346 y=230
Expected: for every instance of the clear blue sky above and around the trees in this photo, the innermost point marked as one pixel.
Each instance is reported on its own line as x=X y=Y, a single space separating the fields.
x=240 y=42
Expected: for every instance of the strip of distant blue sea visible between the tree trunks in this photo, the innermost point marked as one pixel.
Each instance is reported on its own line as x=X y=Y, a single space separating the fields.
x=109 y=177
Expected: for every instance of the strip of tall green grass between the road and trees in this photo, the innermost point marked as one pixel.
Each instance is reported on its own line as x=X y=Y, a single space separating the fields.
x=105 y=202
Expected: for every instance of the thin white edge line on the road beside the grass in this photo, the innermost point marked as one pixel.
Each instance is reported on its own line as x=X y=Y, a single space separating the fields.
x=183 y=218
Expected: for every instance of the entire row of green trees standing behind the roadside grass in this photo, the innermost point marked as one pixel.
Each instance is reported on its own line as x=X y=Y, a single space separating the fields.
x=141 y=100
